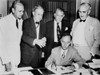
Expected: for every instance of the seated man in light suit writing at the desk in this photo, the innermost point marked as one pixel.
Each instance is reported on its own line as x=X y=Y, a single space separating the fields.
x=65 y=54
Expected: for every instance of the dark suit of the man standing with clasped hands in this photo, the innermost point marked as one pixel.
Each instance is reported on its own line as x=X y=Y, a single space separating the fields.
x=28 y=51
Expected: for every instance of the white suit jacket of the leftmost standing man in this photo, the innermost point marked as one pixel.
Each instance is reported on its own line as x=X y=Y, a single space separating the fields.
x=10 y=40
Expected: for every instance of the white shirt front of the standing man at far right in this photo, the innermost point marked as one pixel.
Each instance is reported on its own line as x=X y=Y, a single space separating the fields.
x=78 y=35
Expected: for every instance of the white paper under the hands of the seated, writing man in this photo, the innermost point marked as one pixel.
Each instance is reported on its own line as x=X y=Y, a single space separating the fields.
x=60 y=70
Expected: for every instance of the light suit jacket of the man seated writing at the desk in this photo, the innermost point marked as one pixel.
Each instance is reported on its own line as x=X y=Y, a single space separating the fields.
x=71 y=55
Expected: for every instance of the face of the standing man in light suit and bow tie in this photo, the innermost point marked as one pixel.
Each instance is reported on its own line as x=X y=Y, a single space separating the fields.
x=84 y=12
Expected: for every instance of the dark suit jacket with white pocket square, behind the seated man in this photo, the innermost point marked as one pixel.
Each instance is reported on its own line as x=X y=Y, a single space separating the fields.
x=50 y=35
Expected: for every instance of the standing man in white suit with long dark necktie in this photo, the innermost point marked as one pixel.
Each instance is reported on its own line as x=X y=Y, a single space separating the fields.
x=10 y=35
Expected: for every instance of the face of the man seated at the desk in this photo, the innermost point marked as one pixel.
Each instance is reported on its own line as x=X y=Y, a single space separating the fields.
x=65 y=42
